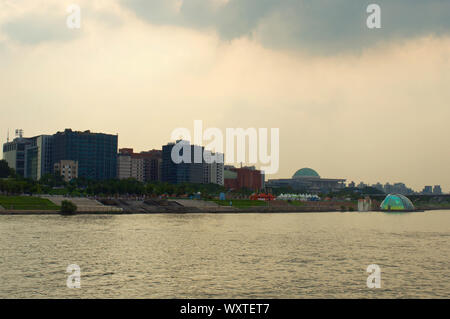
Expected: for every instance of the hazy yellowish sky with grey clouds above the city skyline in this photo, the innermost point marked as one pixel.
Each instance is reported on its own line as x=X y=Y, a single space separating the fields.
x=365 y=105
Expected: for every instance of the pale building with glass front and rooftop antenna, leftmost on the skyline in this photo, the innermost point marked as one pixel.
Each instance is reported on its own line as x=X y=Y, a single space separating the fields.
x=30 y=157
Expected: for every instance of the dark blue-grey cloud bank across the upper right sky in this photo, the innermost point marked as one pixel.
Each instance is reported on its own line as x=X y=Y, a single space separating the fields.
x=322 y=26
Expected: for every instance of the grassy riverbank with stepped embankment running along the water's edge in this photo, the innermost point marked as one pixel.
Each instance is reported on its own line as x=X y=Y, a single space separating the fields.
x=49 y=205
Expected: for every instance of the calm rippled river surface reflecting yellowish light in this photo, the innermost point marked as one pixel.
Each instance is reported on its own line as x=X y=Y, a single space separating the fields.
x=317 y=255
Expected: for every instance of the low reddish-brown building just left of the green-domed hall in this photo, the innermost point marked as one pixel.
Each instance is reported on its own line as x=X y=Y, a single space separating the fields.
x=244 y=177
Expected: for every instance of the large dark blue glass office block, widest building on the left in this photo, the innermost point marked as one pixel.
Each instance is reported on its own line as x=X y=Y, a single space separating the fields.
x=96 y=153
